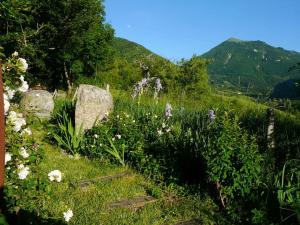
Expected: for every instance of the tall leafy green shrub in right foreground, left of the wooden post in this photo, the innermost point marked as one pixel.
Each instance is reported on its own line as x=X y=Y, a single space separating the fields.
x=233 y=160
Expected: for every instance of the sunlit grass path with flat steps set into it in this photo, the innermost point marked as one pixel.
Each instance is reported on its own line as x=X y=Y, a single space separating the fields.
x=90 y=204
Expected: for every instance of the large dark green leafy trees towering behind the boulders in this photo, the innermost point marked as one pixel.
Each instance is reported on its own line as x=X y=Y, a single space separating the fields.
x=63 y=39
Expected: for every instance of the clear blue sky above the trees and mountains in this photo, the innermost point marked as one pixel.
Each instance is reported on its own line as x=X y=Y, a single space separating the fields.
x=180 y=28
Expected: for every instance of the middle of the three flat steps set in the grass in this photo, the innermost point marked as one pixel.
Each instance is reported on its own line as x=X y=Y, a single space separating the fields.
x=135 y=203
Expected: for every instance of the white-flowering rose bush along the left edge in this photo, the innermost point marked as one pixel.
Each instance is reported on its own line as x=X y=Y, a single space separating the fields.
x=22 y=155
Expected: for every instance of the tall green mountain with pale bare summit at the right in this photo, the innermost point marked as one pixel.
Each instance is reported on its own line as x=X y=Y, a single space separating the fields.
x=251 y=67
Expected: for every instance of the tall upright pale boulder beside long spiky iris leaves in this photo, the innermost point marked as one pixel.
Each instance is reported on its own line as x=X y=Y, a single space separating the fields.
x=93 y=105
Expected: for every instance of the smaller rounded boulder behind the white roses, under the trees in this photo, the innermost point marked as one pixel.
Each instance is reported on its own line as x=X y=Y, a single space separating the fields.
x=38 y=102
